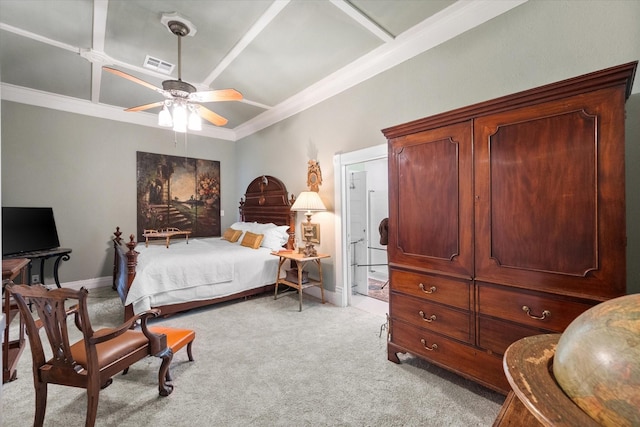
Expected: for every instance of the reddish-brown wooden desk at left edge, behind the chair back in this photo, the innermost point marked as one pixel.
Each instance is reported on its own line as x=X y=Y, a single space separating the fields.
x=11 y=350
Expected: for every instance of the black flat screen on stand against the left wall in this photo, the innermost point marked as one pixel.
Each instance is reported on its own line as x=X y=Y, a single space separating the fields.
x=27 y=230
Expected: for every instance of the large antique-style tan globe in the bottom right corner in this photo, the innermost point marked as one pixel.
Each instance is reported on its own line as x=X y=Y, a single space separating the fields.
x=597 y=361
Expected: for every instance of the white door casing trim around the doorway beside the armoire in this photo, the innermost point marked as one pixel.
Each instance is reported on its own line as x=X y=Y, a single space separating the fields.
x=340 y=163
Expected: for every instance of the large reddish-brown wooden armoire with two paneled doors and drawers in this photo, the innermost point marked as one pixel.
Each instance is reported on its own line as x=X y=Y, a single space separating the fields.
x=506 y=219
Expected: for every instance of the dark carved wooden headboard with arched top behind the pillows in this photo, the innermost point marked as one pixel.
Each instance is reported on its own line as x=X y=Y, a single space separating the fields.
x=267 y=200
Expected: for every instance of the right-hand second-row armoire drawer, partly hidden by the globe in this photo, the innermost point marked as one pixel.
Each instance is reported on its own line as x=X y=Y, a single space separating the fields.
x=496 y=335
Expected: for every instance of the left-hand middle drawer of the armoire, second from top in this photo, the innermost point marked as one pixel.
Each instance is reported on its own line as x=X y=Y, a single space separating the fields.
x=432 y=316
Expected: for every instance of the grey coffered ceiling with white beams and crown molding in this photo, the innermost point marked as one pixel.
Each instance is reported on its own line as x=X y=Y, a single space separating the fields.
x=282 y=55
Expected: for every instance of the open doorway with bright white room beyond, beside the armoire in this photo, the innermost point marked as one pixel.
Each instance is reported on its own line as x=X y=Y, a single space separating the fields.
x=364 y=203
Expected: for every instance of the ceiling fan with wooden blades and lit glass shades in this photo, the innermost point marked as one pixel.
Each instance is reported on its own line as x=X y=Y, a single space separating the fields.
x=182 y=96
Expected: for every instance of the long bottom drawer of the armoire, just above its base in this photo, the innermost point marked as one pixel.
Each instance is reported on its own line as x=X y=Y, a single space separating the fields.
x=466 y=360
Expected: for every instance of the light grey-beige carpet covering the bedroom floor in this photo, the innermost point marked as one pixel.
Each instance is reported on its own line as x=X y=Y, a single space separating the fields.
x=260 y=362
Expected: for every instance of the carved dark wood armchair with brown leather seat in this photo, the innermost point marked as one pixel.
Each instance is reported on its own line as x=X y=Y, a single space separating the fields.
x=92 y=361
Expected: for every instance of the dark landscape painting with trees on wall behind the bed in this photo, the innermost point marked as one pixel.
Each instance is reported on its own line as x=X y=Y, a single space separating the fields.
x=178 y=192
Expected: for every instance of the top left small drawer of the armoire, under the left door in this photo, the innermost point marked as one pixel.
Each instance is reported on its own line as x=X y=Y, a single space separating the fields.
x=438 y=289
